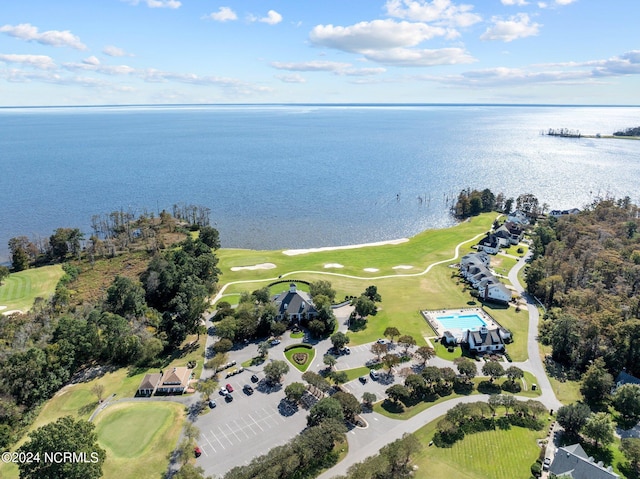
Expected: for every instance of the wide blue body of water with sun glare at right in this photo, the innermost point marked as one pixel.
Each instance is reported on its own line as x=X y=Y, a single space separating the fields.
x=301 y=176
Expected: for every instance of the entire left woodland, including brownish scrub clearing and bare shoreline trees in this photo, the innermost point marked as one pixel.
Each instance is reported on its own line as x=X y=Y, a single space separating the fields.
x=136 y=319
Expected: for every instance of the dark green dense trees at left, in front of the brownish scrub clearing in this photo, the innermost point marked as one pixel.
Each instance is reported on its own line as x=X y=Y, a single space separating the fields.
x=137 y=321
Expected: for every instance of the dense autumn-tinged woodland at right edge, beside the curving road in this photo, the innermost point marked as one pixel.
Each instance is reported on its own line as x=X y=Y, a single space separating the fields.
x=586 y=271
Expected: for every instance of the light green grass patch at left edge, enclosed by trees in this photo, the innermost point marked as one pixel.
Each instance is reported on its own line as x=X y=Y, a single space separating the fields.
x=19 y=290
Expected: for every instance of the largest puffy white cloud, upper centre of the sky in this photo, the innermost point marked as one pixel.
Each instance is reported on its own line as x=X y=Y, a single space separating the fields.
x=375 y=35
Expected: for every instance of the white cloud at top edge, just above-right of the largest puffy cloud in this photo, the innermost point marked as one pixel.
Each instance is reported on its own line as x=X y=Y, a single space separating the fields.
x=440 y=12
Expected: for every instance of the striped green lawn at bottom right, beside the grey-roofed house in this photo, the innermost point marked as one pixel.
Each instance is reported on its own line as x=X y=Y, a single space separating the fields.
x=485 y=455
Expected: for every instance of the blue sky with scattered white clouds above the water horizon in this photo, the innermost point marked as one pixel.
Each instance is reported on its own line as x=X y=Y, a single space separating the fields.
x=81 y=52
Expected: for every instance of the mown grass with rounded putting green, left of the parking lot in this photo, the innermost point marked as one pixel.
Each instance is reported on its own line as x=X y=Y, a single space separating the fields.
x=138 y=437
